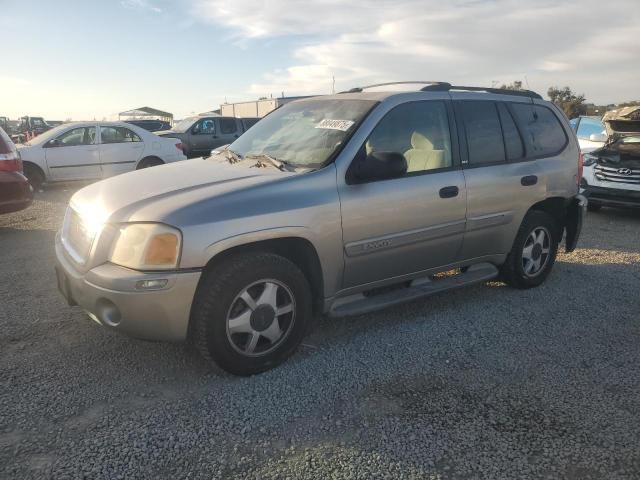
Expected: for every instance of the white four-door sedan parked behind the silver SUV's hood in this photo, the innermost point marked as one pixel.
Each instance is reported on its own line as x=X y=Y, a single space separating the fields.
x=94 y=150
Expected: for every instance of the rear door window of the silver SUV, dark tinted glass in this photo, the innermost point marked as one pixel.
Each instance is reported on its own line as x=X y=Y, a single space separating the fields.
x=483 y=131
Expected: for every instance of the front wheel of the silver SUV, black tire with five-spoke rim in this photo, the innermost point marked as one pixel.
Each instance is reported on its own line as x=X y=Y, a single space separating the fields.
x=251 y=312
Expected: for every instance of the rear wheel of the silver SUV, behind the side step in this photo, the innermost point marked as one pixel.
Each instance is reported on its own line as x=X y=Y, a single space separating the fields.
x=513 y=271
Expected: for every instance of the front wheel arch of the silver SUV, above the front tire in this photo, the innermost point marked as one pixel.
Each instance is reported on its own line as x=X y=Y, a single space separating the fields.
x=300 y=251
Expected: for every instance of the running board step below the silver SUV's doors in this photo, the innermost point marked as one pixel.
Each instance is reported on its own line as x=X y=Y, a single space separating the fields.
x=360 y=303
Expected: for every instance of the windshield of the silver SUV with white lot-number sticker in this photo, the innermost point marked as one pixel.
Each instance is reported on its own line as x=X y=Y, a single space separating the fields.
x=304 y=133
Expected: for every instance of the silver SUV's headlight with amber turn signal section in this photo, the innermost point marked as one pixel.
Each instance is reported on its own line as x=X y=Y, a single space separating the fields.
x=146 y=246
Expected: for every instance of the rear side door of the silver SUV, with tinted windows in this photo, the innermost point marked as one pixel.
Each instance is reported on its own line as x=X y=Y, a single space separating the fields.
x=502 y=176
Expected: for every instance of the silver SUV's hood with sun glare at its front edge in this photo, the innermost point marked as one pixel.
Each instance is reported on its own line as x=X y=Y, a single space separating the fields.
x=153 y=194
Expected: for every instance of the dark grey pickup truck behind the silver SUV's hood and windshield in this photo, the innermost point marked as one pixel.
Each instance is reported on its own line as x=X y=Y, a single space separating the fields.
x=201 y=134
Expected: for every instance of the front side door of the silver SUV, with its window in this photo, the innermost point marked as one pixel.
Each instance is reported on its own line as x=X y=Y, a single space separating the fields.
x=404 y=225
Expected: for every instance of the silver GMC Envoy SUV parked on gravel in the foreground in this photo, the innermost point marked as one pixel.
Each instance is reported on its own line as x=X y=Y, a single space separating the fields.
x=335 y=205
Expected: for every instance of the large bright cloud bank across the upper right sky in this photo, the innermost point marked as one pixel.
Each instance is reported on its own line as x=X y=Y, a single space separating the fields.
x=467 y=42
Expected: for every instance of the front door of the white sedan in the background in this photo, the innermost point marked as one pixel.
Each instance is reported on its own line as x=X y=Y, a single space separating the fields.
x=74 y=155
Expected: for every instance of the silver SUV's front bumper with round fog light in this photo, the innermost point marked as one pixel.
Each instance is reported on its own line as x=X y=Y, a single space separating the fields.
x=108 y=293
